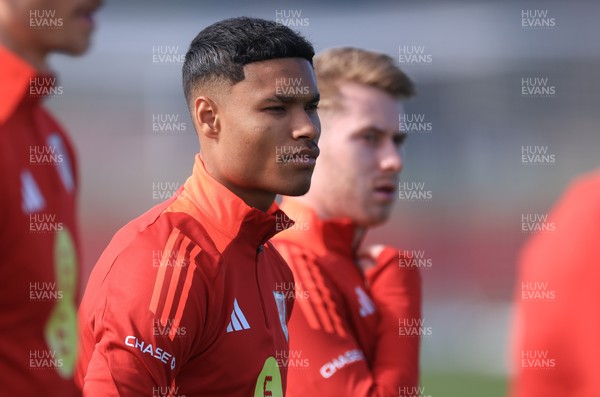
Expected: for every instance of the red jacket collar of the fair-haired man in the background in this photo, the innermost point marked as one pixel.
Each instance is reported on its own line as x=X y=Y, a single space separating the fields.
x=323 y=236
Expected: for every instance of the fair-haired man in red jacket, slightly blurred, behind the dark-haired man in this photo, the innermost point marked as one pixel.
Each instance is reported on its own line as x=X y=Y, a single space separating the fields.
x=351 y=299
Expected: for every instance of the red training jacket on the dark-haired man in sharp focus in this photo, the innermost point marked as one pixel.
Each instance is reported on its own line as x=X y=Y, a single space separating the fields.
x=189 y=299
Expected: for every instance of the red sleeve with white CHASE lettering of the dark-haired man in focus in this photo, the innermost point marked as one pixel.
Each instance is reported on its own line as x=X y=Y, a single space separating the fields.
x=140 y=327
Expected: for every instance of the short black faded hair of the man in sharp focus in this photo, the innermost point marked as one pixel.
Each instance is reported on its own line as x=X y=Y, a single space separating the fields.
x=220 y=51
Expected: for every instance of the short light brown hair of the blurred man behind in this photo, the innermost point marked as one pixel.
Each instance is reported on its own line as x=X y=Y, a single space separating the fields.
x=355 y=65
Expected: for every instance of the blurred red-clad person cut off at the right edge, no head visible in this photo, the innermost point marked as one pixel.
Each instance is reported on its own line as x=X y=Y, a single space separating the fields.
x=556 y=329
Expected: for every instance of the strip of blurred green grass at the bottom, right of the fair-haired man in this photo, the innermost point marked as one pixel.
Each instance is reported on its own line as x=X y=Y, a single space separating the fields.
x=462 y=385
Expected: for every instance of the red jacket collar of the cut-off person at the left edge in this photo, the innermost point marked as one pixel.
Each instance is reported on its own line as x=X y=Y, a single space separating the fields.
x=15 y=81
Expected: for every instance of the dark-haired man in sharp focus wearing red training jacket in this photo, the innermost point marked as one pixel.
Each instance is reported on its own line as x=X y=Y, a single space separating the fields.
x=191 y=298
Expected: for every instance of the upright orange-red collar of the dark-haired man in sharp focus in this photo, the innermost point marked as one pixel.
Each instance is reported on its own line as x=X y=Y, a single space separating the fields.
x=225 y=215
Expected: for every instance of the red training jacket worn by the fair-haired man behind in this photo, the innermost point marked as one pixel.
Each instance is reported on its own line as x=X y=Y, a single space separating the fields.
x=350 y=335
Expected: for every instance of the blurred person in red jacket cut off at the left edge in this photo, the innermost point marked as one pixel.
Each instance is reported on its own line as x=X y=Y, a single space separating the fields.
x=39 y=244
